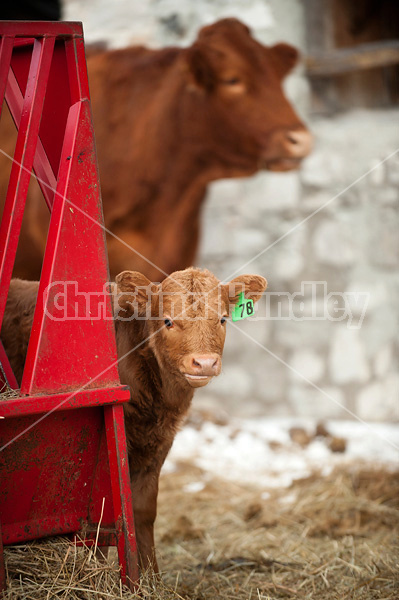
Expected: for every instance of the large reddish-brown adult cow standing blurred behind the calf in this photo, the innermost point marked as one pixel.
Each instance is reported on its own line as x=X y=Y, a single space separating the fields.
x=167 y=123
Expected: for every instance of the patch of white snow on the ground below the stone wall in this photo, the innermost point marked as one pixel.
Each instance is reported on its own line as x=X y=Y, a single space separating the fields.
x=260 y=451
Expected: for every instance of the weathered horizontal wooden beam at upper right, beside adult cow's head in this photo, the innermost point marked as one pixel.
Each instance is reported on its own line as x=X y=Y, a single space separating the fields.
x=345 y=60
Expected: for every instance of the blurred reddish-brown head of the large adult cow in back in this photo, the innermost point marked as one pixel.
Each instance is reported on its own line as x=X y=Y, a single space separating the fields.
x=238 y=81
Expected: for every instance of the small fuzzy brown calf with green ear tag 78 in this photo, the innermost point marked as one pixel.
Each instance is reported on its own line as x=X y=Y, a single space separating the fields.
x=178 y=328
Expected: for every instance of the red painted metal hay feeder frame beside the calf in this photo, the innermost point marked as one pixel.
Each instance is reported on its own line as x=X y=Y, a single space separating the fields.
x=62 y=440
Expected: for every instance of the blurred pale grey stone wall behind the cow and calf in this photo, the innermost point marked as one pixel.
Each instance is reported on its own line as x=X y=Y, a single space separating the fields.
x=332 y=222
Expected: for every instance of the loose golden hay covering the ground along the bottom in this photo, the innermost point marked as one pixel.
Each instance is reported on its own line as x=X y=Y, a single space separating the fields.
x=332 y=538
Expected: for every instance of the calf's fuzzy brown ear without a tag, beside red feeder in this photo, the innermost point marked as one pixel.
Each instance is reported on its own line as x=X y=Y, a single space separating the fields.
x=134 y=293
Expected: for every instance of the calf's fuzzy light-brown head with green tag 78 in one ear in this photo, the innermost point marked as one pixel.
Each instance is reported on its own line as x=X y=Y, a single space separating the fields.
x=186 y=317
